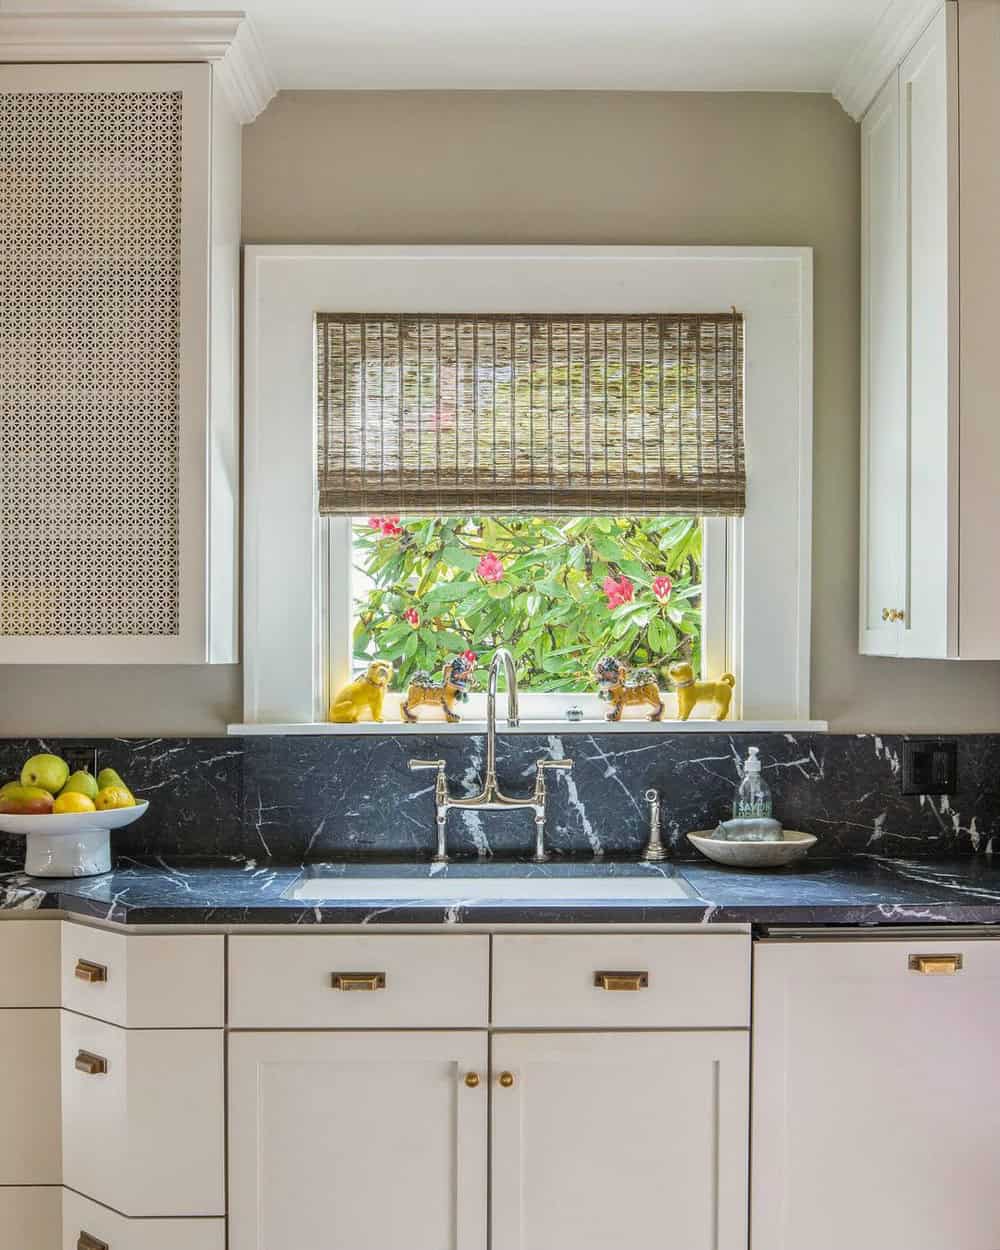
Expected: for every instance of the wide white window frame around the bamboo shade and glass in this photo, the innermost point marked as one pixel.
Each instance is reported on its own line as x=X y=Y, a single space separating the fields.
x=297 y=627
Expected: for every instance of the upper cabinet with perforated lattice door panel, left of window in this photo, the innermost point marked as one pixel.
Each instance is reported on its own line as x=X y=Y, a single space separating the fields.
x=119 y=473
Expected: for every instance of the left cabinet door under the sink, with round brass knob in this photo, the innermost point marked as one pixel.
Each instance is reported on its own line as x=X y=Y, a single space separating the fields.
x=358 y=1142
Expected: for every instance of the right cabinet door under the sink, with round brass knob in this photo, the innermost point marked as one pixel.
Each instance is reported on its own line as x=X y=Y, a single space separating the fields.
x=636 y=1141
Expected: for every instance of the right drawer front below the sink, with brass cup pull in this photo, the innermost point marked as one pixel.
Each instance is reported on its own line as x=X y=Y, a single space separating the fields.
x=622 y=981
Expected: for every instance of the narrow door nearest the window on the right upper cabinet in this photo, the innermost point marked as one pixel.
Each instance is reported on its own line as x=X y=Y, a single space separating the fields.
x=883 y=378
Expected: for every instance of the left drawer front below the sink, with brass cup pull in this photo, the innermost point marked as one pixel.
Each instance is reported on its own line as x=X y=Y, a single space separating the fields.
x=359 y=983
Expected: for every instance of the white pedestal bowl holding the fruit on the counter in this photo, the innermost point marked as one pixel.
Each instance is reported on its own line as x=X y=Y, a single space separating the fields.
x=73 y=843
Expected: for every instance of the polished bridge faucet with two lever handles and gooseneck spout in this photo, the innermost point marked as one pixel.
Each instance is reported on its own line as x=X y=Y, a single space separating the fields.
x=492 y=798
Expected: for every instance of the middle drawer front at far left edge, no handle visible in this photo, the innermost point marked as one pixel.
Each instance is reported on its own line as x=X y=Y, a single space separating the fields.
x=29 y=1124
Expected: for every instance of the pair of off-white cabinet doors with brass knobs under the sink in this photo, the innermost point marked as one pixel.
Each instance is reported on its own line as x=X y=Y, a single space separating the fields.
x=379 y=1141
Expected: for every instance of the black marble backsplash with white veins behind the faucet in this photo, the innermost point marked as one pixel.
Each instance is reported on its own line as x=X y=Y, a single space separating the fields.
x=288 y=799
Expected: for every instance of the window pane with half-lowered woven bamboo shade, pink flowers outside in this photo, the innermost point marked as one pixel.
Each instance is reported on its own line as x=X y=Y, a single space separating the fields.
x=634 y=421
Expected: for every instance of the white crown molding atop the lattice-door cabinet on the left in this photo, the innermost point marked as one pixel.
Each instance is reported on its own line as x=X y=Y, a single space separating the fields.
x=224 y=39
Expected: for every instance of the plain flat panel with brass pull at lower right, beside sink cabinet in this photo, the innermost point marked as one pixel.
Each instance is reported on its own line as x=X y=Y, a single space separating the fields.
x=877 y=1118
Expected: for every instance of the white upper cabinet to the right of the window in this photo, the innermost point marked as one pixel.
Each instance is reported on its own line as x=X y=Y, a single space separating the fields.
x=931 y=442
